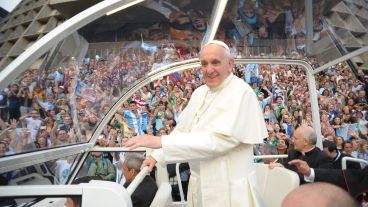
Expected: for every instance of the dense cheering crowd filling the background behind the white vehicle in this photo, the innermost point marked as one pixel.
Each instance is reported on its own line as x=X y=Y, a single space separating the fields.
x=64 y=107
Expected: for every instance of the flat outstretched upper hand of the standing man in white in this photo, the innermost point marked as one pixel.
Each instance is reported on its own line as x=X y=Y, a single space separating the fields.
x=144 y=141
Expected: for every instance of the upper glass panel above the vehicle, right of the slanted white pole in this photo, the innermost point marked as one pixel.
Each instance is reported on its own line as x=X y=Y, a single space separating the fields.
x=264 y=28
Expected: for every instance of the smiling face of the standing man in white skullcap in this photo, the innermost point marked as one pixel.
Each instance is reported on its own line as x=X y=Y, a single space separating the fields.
x=216 y=66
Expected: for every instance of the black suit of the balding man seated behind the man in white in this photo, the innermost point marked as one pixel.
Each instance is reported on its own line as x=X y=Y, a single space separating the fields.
x=315 y=159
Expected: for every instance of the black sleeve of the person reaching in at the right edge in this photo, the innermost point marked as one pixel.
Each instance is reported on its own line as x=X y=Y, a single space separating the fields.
x=353 y=180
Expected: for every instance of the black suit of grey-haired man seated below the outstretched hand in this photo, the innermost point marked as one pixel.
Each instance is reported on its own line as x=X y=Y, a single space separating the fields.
x=145 y=192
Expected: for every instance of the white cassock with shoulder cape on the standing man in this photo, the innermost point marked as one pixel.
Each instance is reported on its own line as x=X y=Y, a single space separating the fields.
x=215 y=133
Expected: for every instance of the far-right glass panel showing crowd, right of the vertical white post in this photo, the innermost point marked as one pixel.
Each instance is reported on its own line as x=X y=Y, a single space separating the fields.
x=343 y=104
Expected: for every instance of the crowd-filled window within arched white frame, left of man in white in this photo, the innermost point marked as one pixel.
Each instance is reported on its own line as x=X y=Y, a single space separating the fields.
x=154 y=108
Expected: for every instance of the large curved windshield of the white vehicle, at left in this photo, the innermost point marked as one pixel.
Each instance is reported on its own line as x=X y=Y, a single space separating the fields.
x=63 y=96
